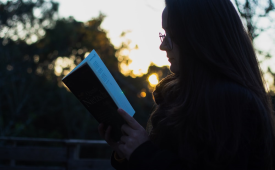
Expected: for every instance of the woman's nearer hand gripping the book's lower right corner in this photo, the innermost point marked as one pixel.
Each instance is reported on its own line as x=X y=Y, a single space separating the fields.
x=134 y=135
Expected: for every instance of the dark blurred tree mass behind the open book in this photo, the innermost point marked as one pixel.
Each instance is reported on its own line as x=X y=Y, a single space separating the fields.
x=34 y=102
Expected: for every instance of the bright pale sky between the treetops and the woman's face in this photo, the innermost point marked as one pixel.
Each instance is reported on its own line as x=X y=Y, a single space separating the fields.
x=140 y=18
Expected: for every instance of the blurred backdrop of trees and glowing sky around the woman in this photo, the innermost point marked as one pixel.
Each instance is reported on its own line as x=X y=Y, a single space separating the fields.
x=43 y=40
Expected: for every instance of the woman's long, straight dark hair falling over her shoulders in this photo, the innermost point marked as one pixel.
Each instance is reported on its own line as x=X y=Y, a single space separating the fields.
x=218 y=84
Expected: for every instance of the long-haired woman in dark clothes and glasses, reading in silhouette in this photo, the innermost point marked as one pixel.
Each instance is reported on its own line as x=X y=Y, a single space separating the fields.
x=213 y=112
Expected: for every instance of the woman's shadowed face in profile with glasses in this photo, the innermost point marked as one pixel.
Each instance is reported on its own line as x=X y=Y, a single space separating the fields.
x=172 y=54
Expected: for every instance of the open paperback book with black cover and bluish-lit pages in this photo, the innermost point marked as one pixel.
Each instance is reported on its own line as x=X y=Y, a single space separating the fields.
x=95 y=87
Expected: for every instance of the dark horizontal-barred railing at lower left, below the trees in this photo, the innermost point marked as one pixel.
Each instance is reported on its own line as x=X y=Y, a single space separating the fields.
x=34 y=155
